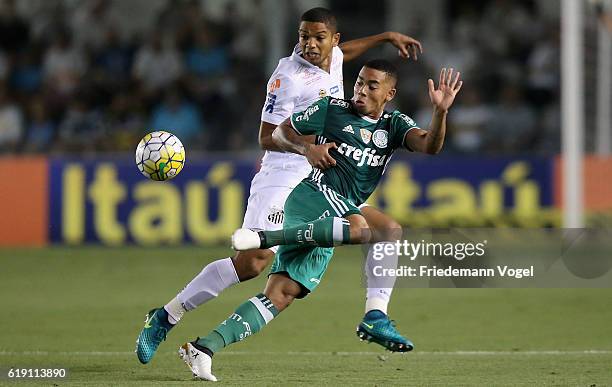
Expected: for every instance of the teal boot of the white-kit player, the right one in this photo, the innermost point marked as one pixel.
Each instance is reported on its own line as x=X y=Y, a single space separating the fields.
x=377 y=328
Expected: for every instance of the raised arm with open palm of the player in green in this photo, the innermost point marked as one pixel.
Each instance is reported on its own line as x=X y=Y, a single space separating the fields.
x=442 y=98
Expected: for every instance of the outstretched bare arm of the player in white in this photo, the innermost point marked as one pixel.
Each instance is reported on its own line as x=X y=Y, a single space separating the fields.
x=406 y=45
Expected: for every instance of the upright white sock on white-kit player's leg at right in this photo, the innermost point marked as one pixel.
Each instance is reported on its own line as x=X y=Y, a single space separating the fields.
x=380 y=288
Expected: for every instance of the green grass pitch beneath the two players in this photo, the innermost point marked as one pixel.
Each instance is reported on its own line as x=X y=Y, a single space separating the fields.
x=82 y=308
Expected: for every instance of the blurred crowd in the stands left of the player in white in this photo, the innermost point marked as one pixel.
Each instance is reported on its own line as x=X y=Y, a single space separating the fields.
x=70 y=82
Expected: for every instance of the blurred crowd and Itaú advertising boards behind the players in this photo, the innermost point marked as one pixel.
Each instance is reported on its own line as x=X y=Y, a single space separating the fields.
x=81 y=82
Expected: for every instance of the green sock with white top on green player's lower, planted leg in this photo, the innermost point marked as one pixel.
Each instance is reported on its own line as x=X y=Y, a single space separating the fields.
x=247 y=320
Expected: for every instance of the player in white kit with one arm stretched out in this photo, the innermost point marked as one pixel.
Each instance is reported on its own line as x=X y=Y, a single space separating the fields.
x=313 y=71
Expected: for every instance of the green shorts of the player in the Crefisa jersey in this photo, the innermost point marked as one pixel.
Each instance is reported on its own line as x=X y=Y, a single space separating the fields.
x=307 y=202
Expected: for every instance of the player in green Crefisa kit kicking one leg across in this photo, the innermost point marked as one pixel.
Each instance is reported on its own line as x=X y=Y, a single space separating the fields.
x=354 y=141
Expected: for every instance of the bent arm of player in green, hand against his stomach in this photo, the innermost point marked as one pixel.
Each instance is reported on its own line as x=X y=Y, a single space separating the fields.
x=288 y=139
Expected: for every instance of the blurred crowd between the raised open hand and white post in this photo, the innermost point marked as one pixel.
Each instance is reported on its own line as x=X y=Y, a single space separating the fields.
x=509 y=57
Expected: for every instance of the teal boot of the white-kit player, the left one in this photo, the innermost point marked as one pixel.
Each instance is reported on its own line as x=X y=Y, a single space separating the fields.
x=154 y=332
